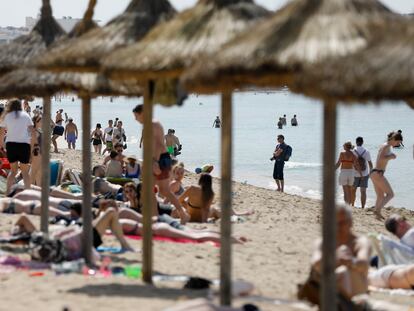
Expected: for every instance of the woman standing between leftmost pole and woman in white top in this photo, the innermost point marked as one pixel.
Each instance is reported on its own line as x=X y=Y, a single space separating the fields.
x=36 y=165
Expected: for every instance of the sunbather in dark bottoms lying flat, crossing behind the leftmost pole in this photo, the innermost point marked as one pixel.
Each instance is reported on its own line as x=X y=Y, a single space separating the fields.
x=33 y=207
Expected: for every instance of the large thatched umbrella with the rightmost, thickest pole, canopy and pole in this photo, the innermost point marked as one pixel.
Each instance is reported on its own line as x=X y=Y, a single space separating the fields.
x=301 y=33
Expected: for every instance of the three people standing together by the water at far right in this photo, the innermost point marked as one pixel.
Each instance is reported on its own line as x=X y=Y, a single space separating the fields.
x=356 y=168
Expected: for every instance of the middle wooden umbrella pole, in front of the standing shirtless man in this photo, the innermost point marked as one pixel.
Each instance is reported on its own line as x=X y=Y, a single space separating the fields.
x=147 y=188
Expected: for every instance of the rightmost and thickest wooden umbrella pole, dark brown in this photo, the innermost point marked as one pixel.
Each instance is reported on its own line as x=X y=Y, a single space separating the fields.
x=328 y=293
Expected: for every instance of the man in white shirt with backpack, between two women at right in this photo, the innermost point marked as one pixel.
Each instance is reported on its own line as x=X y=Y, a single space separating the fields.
x=363 y=166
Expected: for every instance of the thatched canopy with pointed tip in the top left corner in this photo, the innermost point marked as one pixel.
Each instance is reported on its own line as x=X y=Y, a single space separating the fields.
x=21 y=50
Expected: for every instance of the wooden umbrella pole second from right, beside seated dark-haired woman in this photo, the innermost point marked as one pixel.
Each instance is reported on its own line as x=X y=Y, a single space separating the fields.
x=226 y=204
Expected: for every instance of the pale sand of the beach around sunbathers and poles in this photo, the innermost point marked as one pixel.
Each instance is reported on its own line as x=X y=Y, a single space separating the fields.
x=281 y=235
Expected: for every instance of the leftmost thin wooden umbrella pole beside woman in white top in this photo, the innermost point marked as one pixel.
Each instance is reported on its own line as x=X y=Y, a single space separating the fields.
x=45 y=150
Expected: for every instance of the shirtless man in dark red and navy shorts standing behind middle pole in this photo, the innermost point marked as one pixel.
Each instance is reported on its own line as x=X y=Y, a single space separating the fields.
x=161 y=163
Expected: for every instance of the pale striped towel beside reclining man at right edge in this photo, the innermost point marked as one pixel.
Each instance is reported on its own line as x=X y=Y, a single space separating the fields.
x=391 y=252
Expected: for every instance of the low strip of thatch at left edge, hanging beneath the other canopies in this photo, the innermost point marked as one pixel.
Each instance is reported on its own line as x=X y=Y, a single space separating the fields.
x=32 y=82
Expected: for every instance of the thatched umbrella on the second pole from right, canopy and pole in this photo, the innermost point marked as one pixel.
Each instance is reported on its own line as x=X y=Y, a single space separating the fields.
x=172 y=47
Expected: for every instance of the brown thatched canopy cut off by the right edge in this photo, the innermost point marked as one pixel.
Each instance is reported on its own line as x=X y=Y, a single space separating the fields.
x=384 y=71
